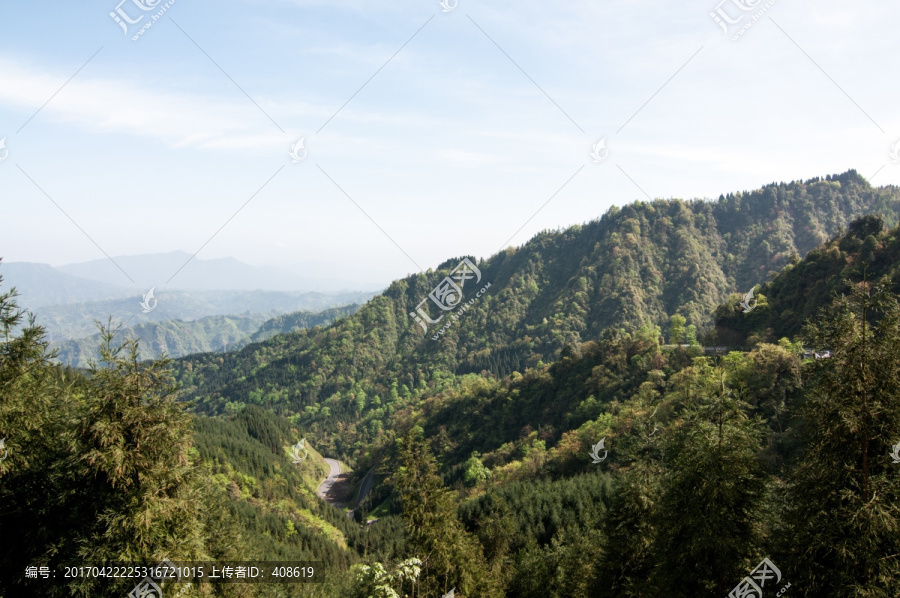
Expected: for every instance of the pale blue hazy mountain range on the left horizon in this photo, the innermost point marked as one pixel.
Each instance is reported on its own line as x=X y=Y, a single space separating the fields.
x=67 y=300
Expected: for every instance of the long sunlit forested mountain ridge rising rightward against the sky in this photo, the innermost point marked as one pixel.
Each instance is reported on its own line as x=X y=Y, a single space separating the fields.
x=636 y=266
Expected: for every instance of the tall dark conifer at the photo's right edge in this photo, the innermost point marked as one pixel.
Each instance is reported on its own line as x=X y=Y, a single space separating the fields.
x=843 y=500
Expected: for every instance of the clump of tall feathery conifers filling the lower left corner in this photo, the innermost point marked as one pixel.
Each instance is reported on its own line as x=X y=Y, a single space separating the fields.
x=100 y=465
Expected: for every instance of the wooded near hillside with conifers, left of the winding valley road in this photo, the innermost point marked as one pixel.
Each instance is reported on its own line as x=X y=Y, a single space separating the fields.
x=110 y=468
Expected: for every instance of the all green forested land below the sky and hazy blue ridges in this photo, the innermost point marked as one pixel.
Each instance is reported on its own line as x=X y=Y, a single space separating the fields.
x=543 y=446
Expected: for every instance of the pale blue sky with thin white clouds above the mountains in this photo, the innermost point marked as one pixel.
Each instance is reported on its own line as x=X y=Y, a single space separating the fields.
x=450 y=130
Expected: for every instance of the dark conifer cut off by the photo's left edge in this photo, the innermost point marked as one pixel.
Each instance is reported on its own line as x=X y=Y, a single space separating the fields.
x=35 y=481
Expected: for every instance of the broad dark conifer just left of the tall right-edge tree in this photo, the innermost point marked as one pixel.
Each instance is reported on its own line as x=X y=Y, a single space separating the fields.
x=708 y=513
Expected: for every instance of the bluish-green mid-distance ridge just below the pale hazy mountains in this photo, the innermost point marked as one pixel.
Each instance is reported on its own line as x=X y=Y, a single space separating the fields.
x=213 y=334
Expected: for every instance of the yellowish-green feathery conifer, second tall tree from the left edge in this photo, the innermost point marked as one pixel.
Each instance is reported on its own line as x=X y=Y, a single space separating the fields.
x=135 y=438
